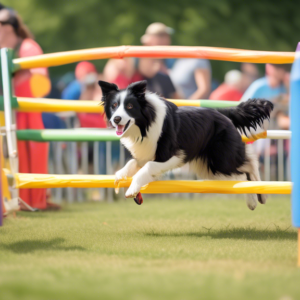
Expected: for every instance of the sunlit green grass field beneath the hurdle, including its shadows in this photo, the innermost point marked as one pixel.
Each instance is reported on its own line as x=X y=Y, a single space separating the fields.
x=211 y=248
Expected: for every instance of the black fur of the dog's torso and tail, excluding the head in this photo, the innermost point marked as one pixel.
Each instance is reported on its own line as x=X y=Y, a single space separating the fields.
x=208 y=134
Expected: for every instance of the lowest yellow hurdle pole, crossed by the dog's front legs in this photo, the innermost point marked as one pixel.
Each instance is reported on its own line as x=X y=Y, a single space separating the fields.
x=157 y=187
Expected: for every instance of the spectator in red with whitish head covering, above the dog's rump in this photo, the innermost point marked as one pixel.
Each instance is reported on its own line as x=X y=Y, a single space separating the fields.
x=230 y=89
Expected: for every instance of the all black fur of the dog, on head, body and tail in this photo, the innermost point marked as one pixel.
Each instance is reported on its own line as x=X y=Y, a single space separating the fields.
x=200 y=133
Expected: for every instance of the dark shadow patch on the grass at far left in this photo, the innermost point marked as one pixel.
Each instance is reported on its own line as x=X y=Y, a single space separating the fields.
x=27 y=246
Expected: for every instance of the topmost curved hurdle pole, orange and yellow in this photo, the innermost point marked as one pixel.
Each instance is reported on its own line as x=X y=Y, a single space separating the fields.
x=213 y=53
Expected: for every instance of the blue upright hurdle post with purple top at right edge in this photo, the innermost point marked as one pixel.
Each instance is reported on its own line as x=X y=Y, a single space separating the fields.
x=295 y=143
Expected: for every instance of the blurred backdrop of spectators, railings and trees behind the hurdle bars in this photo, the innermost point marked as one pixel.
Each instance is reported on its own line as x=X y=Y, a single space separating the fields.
x=70 y=25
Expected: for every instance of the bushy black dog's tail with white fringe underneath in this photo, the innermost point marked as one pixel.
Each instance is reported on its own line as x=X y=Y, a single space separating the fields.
x=250 y=115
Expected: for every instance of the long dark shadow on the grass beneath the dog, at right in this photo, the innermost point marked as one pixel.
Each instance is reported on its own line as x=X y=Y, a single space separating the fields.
x=239 y=233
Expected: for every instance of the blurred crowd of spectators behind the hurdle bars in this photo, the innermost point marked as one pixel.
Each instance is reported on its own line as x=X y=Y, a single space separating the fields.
x=170 y=78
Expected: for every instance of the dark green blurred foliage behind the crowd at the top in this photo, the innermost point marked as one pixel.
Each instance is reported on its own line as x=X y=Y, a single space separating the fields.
x=61 y=25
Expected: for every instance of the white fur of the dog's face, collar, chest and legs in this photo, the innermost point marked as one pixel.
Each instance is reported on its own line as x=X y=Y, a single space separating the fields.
x=144 y=170
